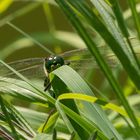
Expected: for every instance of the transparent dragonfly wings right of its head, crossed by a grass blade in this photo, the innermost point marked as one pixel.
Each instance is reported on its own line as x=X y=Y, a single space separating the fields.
x=82 y=58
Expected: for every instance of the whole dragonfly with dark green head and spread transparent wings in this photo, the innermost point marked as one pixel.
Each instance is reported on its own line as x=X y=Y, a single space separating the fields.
x=41 y=67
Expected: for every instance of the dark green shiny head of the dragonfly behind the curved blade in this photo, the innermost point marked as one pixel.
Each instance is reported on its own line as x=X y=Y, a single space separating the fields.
x=53 y=62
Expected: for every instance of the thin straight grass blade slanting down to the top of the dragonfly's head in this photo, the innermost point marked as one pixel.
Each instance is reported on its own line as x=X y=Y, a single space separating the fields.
x=30 y=37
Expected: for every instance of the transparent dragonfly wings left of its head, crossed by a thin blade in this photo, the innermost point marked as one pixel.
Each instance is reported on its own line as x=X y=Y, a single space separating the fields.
x=30 y=68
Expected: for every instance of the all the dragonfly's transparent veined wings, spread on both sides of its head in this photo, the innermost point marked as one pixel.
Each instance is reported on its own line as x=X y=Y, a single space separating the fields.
x=78 y=58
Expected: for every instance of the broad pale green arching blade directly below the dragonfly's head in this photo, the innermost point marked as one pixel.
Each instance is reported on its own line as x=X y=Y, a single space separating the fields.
x=93 y=112
